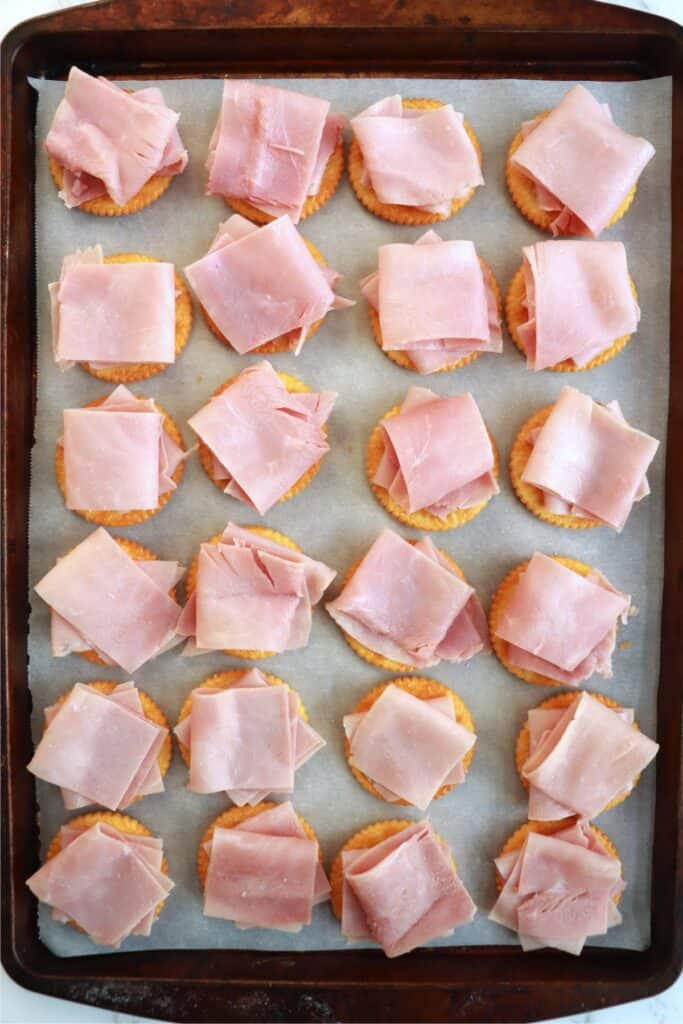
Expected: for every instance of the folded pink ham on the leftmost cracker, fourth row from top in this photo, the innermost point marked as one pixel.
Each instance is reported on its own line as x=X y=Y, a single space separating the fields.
x=103 y=600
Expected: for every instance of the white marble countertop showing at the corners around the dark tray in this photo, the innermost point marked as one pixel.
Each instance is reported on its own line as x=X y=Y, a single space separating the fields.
x=18 y=1006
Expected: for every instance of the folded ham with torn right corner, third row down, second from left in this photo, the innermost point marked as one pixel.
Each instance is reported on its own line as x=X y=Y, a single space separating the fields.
x=264 y=439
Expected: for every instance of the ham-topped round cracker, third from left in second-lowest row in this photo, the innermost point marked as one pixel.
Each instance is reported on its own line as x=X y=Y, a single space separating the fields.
x=410 y=741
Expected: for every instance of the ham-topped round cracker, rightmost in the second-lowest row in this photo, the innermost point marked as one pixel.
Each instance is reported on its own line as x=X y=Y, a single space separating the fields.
x=580 y=754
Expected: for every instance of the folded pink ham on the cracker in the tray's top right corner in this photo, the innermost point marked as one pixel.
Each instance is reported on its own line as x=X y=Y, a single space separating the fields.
x=583 y=164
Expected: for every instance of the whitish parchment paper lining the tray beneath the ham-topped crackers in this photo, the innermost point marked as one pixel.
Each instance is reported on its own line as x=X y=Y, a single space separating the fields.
x=336 y=518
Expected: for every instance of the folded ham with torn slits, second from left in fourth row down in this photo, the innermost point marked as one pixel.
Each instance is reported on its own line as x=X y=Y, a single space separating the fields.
x=252 y=594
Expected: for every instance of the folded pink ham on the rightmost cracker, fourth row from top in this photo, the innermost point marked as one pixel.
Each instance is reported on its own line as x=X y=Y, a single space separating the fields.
x=561 y=624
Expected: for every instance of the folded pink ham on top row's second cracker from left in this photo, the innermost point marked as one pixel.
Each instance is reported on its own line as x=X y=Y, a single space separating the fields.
x=271 y=147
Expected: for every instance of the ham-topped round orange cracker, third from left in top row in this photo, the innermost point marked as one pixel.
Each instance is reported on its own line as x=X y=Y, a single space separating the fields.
x=414 y=161
